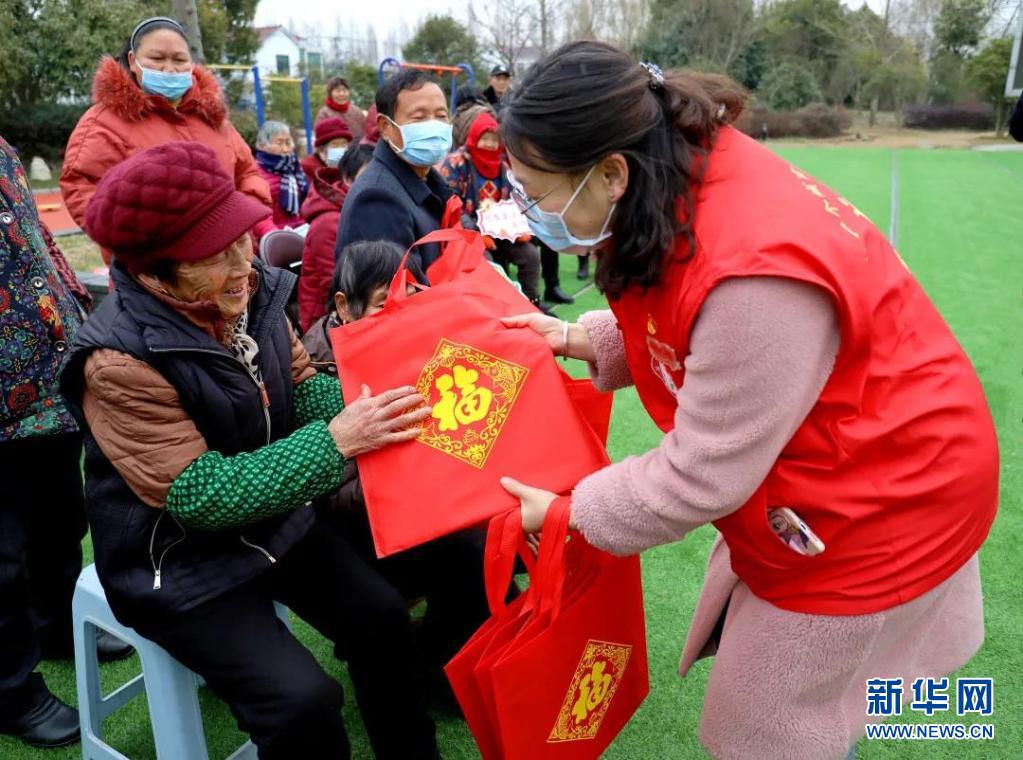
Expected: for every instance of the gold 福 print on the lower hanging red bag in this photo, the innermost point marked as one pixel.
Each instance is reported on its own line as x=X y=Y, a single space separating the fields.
x=601 y=669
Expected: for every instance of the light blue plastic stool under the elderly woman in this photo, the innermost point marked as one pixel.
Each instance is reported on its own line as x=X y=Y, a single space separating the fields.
x=170 y=688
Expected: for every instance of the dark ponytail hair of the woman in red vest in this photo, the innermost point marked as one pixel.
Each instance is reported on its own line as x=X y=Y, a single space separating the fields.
x=588 y=101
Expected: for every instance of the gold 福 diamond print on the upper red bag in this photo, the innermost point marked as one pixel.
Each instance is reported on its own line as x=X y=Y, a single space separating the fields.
x=472 y=393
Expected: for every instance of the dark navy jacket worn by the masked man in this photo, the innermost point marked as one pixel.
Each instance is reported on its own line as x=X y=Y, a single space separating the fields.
x=389 y=202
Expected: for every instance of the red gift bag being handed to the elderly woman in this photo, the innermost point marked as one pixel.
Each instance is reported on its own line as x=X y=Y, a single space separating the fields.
x=501 y=409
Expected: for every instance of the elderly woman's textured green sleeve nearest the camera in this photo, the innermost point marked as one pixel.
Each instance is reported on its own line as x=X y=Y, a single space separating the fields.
x=216 y=493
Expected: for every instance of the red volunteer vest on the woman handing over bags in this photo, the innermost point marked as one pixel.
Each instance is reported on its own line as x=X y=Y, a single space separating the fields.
x=897 y=467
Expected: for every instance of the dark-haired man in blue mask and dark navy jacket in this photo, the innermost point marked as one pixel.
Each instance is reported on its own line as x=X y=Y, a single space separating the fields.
x=399 y=197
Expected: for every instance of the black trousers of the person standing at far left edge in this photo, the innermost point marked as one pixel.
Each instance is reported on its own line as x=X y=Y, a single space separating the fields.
x=42 y=524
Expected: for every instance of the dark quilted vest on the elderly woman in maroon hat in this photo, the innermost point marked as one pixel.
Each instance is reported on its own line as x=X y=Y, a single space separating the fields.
x=132 y=541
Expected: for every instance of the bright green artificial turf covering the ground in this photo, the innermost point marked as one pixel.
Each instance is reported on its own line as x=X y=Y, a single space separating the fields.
x=958 y=226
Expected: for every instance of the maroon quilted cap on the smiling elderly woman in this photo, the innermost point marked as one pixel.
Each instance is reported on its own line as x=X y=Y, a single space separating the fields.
x=171 y=202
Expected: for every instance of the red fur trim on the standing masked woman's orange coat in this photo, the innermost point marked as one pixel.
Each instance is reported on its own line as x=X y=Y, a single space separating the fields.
x=115 y=88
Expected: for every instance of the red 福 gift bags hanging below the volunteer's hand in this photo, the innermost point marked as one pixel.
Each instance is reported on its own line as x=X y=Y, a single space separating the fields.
x=585 y=632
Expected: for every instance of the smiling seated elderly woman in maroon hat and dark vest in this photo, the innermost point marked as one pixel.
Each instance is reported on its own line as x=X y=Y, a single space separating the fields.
x=208 y=434
